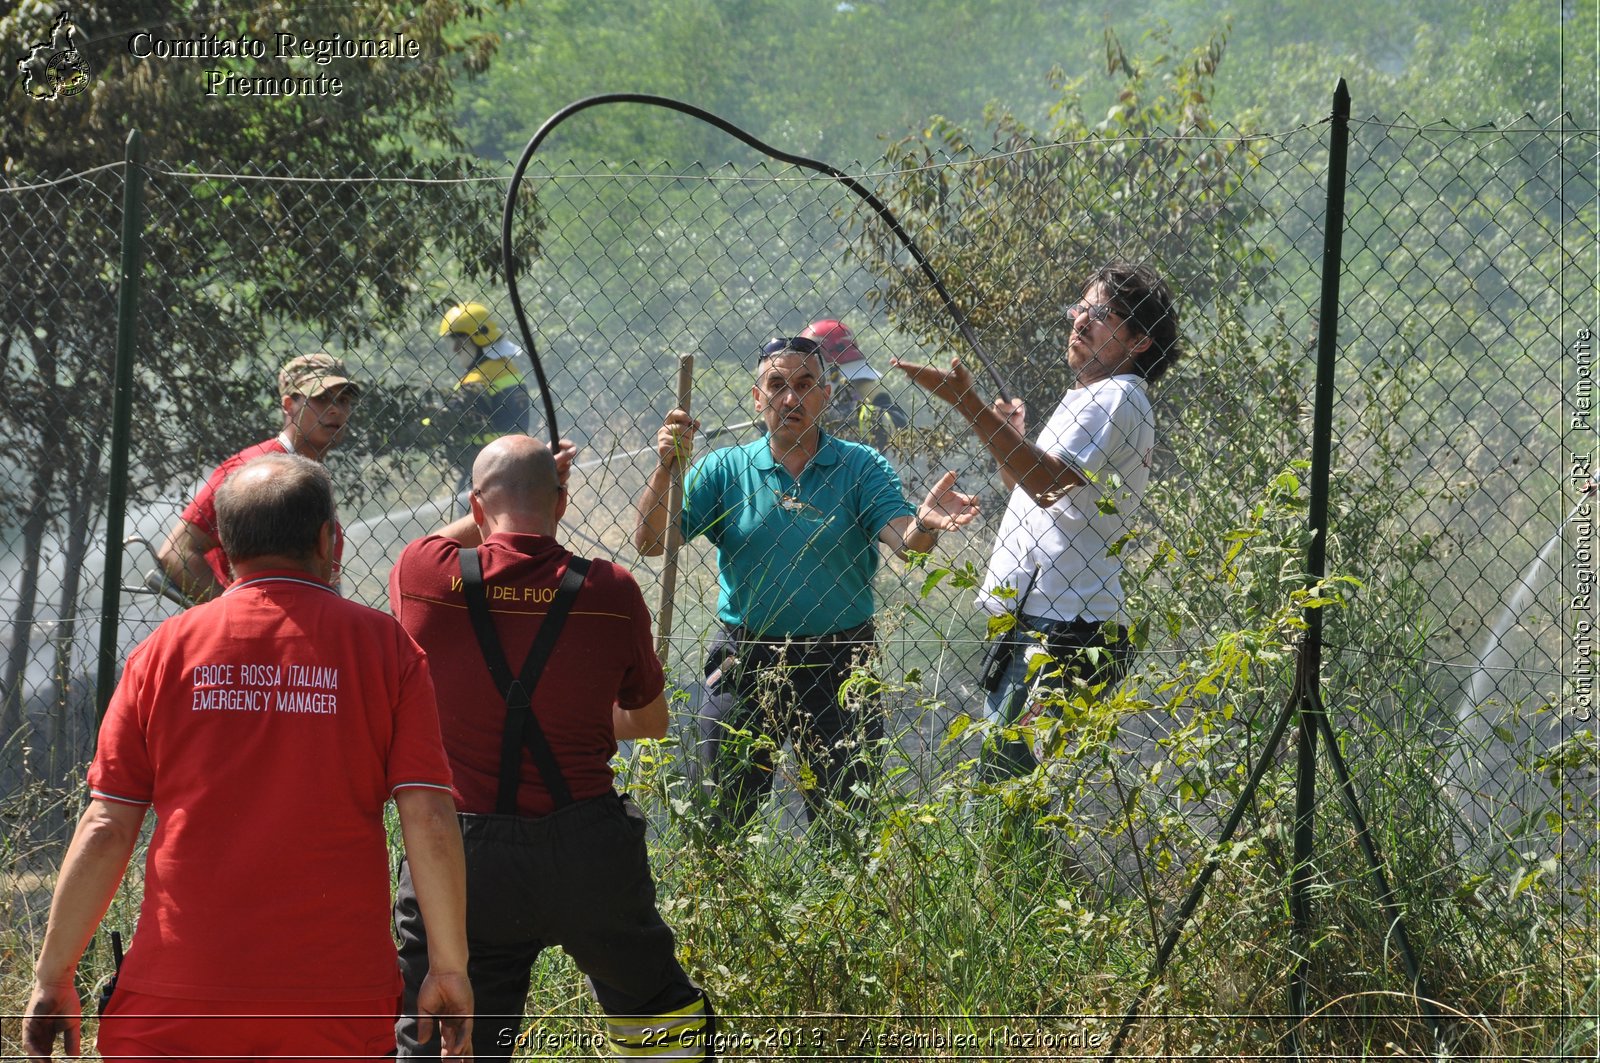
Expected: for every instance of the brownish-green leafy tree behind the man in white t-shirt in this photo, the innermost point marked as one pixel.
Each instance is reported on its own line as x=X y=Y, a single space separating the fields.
x=1018 y=223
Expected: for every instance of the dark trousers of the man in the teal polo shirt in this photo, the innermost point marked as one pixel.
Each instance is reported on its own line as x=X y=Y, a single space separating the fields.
x=761 y=694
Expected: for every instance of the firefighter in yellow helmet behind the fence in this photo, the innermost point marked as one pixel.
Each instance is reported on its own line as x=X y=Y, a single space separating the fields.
x=490 y=399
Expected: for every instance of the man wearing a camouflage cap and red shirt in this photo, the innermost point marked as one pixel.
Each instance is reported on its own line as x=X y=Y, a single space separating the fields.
x=316 y=395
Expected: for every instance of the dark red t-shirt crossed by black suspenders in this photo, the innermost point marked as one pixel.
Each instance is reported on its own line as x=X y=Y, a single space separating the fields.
x=604 y=657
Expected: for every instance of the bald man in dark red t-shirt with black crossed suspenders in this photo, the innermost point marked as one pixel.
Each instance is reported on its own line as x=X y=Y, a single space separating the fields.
x=554 y=856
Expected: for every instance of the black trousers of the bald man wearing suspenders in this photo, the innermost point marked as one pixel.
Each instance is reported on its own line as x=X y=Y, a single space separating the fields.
x=578 y=878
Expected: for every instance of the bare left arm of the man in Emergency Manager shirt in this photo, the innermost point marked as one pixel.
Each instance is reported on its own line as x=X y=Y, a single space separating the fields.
x=90 y=875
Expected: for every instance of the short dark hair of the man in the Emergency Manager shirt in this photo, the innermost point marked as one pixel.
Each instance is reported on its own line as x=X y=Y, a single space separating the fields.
x=274 y=516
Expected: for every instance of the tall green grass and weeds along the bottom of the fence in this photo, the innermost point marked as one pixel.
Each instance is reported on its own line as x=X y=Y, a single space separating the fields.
x=1018 y=918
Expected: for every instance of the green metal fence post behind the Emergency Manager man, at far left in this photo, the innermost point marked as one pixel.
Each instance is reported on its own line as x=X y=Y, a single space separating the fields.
x=122 y=419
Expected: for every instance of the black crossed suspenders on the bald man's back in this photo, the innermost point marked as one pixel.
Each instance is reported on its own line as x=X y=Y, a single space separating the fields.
x=522 y=726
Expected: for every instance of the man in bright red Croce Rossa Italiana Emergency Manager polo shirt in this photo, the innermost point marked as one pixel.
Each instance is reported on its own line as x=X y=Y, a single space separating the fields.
x=268 y=731
